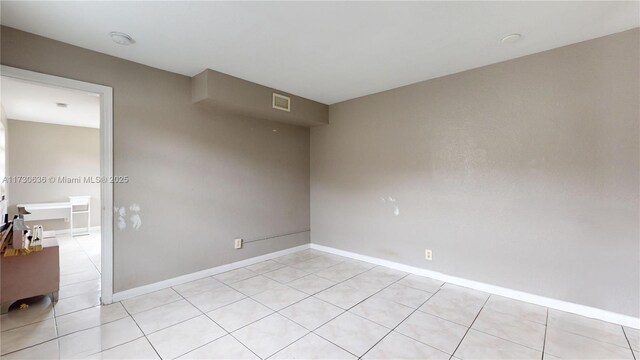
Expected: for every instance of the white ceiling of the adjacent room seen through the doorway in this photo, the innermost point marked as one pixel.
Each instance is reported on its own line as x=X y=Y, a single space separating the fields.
x=34 y=102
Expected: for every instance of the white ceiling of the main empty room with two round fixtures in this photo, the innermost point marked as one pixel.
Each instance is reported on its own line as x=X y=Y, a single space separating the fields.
x=325 y=51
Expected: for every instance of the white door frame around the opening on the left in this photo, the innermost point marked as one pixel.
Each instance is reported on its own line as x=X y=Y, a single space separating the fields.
x=106 y=161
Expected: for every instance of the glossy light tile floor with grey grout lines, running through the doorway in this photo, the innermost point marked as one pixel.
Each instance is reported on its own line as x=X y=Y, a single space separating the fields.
x=306 y=305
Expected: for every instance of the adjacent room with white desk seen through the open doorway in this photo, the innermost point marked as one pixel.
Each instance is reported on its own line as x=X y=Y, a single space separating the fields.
x=54 y=131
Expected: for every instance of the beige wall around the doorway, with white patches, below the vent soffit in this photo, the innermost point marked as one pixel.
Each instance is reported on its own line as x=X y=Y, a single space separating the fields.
x=201 y=179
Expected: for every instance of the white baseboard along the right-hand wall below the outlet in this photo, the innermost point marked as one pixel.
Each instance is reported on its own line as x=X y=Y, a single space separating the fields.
x=493 y=289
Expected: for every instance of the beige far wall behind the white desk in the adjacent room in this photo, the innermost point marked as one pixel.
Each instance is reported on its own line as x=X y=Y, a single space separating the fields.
x=38 y=149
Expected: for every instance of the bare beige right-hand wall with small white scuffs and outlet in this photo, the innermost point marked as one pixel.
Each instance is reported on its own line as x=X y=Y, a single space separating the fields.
x=522 y=174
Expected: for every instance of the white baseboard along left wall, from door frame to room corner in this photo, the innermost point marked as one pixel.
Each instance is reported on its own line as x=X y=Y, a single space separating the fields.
x=145 y=289
